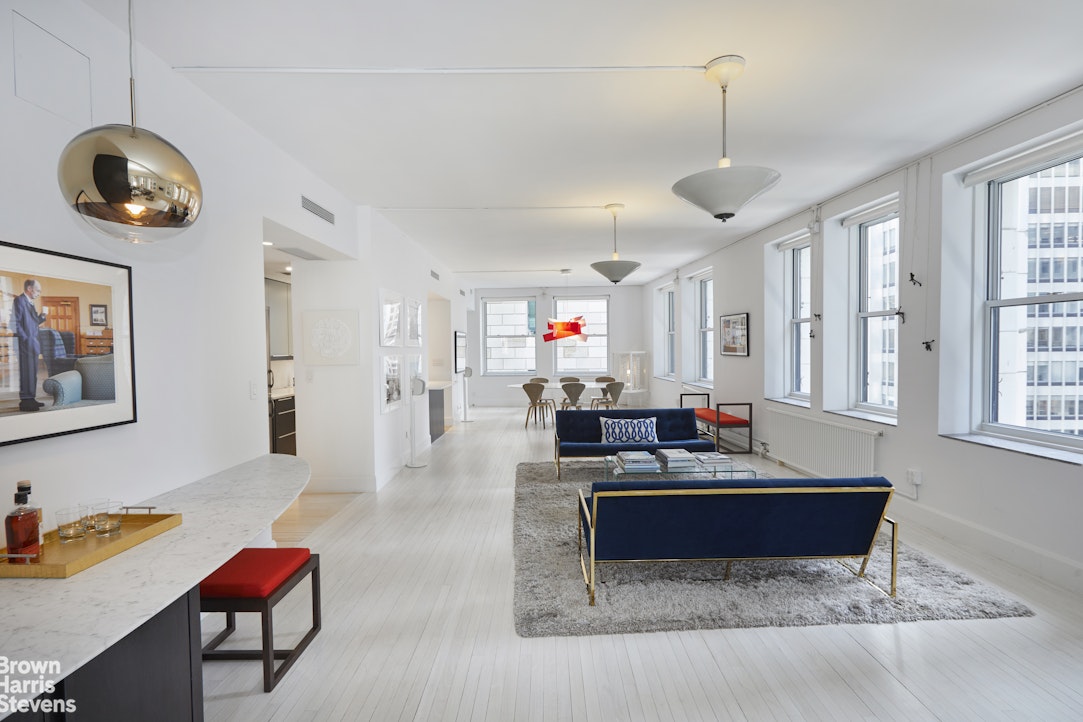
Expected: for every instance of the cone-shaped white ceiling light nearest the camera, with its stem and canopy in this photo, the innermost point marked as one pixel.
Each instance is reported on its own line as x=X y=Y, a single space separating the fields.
x=724 y=191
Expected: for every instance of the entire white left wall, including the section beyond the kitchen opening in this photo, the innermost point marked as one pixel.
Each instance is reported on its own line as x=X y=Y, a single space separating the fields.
x=199 y=307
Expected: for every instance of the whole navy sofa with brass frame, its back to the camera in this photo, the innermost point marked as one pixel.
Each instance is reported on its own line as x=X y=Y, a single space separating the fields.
x=734 y=519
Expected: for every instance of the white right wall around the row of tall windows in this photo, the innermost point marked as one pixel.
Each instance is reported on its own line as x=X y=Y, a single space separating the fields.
x=1017 y=507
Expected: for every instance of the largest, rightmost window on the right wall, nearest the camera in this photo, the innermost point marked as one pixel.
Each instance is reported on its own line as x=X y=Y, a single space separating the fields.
x=1034 y=305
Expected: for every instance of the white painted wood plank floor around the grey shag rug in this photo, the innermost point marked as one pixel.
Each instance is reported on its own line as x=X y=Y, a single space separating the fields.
x=417 y=605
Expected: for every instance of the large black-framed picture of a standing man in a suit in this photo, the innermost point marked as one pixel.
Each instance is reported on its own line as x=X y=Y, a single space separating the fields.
x=83 y=380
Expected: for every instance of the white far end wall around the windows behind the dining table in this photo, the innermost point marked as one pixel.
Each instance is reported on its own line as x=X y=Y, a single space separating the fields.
x=627 y=333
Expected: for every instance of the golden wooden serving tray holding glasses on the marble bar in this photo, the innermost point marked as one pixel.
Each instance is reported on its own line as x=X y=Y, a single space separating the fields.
x=62 y=560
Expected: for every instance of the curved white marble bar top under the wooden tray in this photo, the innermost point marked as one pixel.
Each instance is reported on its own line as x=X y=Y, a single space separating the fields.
x=75 y=620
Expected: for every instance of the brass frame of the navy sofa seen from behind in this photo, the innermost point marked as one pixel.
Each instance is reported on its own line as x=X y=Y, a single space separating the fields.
x=590 y=566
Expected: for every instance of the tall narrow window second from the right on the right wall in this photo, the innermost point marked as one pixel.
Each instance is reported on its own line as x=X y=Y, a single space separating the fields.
x=879 y=313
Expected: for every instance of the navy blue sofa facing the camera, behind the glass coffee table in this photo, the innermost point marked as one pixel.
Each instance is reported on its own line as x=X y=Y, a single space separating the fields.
x=579 y=434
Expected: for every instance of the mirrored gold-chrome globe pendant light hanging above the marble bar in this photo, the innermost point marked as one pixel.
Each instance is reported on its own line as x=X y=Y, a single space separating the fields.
x=128 y=182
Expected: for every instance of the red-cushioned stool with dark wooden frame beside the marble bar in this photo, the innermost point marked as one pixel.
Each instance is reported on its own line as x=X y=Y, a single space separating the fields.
x=255 y=581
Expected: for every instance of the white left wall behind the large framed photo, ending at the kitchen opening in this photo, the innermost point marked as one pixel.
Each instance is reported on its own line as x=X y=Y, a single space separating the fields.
x=199 y=318
